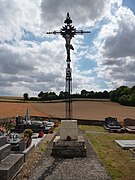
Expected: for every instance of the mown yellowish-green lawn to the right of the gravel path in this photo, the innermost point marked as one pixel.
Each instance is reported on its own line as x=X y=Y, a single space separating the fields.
x=119 y=163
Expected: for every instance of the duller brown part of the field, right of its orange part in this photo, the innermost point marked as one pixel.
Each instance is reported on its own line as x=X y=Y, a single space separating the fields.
x=88 y=110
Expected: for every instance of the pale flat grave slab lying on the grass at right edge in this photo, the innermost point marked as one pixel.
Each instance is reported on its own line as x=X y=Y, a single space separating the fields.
x=126 y=144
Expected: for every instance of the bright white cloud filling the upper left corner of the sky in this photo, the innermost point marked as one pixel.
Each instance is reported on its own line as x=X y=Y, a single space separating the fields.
x=17 y=16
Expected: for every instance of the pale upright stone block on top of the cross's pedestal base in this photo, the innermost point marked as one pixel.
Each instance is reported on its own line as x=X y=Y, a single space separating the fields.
x=69 y=129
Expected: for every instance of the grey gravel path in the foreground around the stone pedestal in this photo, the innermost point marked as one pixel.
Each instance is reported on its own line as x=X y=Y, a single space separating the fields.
x=89 y=168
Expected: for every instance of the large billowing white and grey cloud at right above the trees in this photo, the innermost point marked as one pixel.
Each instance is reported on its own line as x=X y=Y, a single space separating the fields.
x=115 y=44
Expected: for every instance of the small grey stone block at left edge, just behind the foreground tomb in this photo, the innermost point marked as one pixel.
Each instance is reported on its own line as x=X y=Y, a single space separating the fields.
x=4 y=151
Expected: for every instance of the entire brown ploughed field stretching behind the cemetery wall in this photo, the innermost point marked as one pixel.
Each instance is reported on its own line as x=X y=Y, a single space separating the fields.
x=93 y=110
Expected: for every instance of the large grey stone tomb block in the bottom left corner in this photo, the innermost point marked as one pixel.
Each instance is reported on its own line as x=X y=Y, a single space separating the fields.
x=10 y=166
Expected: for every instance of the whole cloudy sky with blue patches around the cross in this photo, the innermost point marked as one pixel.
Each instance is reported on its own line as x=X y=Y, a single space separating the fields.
x=32 y=61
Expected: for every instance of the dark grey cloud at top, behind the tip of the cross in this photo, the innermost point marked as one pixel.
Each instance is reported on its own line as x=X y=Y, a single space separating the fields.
x=84 y=13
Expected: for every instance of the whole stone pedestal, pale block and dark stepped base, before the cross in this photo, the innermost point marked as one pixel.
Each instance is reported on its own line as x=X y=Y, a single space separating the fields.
x=69 y=144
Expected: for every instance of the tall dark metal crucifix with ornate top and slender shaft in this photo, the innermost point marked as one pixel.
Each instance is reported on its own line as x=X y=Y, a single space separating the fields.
x=68 y=32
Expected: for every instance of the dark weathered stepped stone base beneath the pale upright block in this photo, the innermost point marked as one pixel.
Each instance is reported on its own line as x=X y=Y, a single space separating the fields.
x=69 y=149
